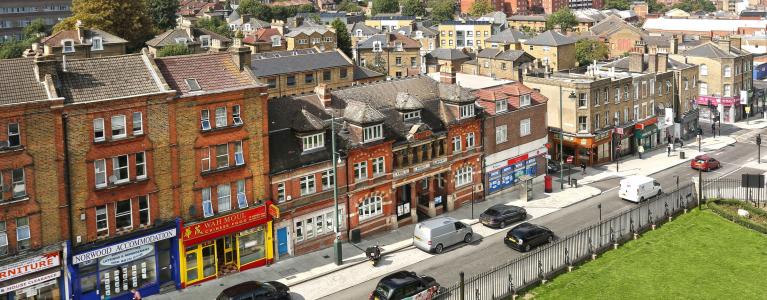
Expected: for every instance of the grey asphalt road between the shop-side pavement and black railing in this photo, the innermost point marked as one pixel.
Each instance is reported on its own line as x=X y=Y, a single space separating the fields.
x=491 y=251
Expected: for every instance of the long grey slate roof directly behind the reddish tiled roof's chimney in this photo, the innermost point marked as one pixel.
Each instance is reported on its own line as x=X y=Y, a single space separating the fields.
x=285 y=62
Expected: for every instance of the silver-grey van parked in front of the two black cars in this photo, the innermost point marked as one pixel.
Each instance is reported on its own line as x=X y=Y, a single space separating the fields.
x=436 y=234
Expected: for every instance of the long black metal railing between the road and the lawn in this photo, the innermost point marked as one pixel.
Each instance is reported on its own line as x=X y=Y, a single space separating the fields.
x=548 y=261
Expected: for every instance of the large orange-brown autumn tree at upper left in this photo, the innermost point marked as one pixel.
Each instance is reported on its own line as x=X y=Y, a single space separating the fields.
x=129 y=20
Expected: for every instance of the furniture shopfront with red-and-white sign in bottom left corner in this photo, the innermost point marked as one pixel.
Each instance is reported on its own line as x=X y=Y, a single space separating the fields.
x=32 y=278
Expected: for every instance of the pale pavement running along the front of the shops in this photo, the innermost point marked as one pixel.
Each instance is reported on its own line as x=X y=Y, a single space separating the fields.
x=315 y=275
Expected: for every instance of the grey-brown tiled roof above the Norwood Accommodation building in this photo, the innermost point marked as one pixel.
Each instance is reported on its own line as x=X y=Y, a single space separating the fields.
x=107 y=78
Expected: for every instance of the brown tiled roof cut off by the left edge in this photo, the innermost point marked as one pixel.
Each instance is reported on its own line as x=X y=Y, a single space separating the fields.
x=20 y=84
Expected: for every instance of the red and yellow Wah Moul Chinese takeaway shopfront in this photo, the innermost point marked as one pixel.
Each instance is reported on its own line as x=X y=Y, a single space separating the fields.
x=231 y=243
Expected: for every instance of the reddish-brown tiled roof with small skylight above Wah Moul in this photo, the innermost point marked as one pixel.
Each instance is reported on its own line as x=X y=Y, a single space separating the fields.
x=213 y=72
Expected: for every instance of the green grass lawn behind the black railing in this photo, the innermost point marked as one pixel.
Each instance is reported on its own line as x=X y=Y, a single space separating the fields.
x=697 y=256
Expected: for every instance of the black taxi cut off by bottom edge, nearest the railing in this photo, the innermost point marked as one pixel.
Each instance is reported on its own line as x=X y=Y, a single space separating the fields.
x=403 y=284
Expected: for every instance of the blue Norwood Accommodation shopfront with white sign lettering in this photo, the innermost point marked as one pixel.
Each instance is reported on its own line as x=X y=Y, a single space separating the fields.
x=146 y=260
